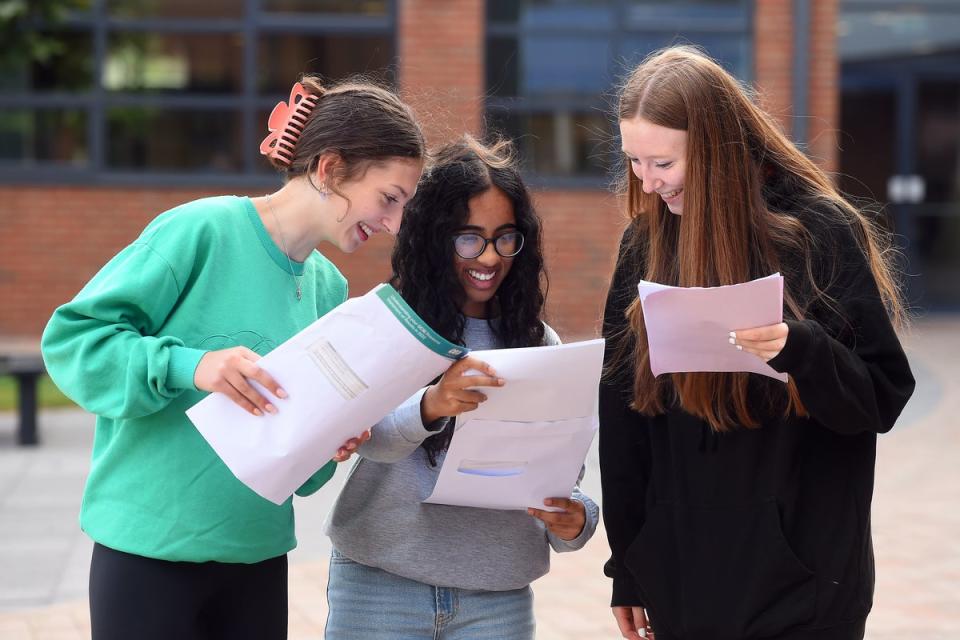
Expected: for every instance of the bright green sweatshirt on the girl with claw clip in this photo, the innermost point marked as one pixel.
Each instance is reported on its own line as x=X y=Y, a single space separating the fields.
x=203 y=276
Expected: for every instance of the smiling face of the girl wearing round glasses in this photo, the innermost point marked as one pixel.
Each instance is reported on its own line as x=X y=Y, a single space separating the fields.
x=491 y=215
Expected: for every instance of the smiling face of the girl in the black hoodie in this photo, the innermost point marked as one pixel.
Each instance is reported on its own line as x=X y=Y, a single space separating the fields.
x=658 y=157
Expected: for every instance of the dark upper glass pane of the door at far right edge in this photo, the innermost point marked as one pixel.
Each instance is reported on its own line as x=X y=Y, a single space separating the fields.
x=938 y=140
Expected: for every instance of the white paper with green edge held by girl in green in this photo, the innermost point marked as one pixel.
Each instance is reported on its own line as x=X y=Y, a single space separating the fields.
x=342 y=374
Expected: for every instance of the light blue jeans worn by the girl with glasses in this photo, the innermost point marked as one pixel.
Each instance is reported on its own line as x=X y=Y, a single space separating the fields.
x=367 y=603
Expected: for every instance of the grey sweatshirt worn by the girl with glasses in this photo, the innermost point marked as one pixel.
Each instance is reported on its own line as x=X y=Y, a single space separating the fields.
x=379 y=519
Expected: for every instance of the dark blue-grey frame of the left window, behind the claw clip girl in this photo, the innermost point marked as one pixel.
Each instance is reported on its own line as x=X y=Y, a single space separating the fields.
x=97 y=101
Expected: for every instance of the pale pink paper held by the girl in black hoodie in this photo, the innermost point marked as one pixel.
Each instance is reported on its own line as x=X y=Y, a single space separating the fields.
x=688 y=327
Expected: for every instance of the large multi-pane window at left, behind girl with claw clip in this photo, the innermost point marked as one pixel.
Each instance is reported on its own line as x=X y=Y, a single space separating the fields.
x=175 y=91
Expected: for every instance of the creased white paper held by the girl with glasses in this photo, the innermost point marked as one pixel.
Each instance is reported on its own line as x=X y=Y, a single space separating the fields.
x=528 y=441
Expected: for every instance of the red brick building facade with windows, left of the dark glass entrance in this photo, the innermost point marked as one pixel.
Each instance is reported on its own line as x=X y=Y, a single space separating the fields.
x=146 y=104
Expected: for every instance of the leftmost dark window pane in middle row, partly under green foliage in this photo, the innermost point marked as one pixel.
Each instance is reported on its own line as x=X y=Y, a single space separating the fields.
x=67 y=64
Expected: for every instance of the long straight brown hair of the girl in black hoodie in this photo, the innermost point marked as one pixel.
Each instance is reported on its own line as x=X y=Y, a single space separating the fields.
x=738 y=161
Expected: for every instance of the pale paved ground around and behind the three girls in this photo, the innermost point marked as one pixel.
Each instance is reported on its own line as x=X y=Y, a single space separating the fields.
x=916 y=522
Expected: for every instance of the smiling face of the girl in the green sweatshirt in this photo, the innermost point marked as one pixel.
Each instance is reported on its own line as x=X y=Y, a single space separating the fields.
x=376 y=202
